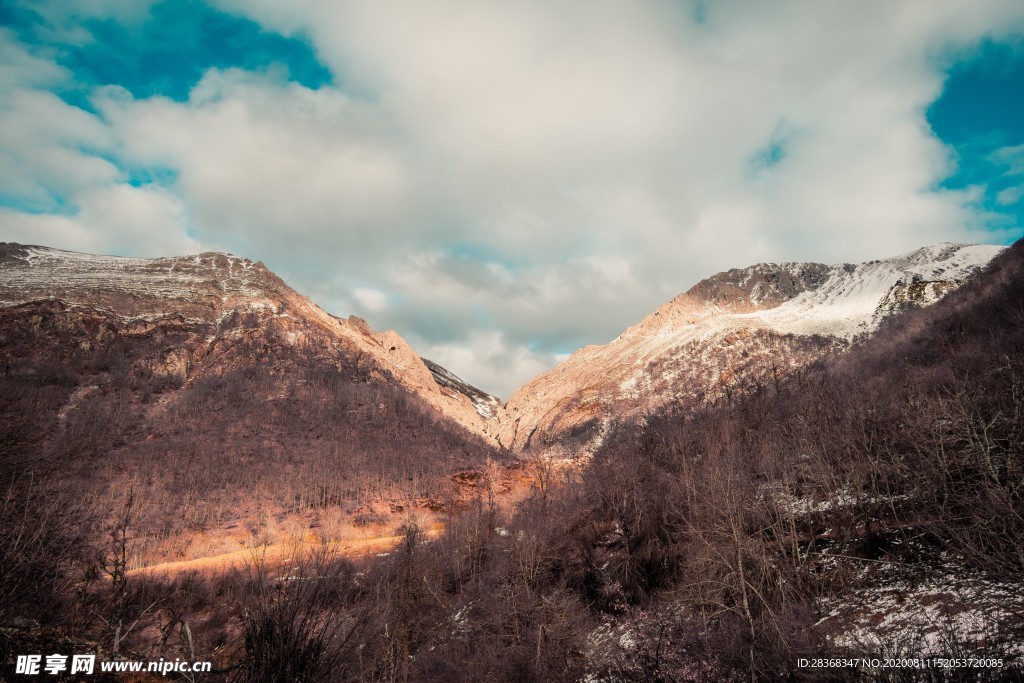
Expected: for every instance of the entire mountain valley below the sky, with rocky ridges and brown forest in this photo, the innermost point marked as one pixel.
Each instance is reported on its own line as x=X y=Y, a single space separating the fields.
x=787 y=460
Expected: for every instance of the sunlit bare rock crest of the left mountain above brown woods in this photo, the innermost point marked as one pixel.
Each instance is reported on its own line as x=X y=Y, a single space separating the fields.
x=218 y=298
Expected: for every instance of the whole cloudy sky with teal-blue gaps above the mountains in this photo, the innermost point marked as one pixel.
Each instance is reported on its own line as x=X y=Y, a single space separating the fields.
x=504 y=183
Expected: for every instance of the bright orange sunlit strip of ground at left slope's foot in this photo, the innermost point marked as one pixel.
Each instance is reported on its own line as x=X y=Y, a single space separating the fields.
x=280 y=554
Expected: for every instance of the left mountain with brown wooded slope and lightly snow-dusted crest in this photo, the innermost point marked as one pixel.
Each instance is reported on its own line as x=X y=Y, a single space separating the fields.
x=224 y=405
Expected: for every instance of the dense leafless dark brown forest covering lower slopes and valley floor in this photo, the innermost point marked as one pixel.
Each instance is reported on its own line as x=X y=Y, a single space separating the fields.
x=723 y=542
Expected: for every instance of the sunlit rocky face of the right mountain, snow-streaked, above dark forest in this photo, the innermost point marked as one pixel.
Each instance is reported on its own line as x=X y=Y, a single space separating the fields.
x=731 y=331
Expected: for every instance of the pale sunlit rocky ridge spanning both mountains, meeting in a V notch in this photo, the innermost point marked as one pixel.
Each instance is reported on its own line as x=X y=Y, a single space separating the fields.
x=745 y=325
